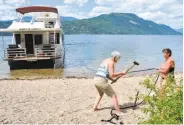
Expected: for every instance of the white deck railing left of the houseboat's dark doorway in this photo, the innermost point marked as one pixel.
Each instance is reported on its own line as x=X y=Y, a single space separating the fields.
x=10 y=53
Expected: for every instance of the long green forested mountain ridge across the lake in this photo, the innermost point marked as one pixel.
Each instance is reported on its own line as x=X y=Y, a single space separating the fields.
x=114 y=23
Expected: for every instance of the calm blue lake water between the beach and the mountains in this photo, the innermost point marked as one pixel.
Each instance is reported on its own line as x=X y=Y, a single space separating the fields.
x=84 y=51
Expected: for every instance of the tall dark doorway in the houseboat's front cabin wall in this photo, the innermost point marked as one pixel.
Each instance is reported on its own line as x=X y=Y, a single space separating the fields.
x=29 y=43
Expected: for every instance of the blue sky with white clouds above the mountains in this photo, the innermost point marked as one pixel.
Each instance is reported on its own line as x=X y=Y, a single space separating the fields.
x=169 y=12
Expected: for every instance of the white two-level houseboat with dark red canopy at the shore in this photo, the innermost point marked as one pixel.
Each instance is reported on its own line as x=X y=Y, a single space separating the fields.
x=37 y=42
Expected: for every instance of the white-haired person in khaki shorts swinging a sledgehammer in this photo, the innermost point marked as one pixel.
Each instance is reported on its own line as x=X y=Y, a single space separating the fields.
x=105 y=71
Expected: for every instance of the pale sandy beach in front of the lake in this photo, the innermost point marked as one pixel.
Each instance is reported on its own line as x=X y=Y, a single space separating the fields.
x=65 y=100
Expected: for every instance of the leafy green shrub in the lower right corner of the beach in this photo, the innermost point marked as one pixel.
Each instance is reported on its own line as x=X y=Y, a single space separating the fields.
x=165 y=106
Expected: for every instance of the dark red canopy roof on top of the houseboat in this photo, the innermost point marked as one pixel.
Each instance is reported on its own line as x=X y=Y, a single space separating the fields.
x=30 y=9
